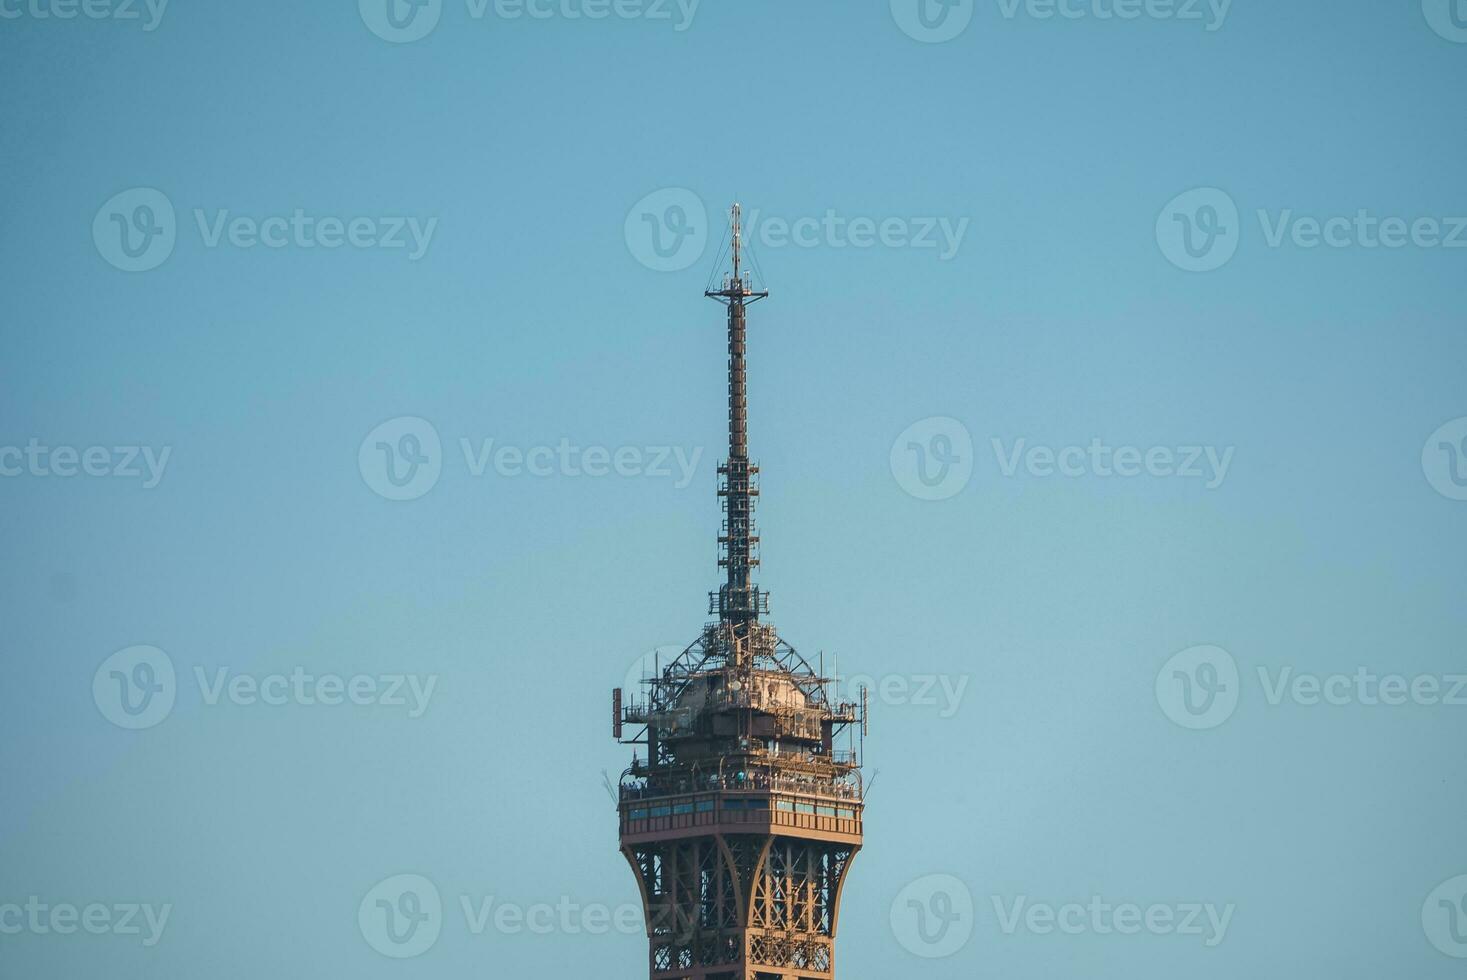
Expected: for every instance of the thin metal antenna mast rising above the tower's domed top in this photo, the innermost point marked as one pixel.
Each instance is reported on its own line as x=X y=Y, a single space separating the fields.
x=739 y=602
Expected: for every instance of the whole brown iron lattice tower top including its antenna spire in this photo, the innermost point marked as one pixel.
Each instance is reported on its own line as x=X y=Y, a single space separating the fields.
x=742 y=821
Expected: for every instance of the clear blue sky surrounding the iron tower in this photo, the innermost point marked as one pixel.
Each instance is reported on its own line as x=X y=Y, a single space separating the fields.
x=1057 y=601
